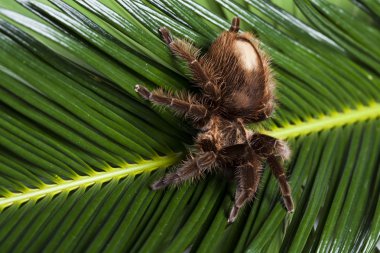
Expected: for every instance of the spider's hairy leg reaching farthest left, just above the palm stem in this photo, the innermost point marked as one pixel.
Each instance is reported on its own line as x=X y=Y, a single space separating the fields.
x=190 y=110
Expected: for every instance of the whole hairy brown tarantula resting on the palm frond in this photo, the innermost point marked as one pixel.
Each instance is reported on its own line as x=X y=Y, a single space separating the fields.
x=237 y=88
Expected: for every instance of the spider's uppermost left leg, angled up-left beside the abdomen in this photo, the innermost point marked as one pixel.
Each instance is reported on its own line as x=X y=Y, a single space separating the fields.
x=190 y=54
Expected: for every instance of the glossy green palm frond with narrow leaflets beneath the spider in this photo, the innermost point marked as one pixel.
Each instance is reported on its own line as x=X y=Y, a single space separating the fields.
x=78 y=147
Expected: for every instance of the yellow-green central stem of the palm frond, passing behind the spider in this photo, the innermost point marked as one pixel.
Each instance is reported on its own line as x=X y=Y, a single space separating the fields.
x=303 y=128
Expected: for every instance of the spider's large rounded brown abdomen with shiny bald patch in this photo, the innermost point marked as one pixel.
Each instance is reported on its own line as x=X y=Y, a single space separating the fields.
x=246 y=82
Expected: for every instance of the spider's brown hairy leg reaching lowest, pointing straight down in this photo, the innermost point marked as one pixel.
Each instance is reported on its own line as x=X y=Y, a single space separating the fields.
x=248 y=176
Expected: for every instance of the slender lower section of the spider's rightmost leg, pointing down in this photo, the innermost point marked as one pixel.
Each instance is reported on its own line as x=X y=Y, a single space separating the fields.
x=279 y=173
